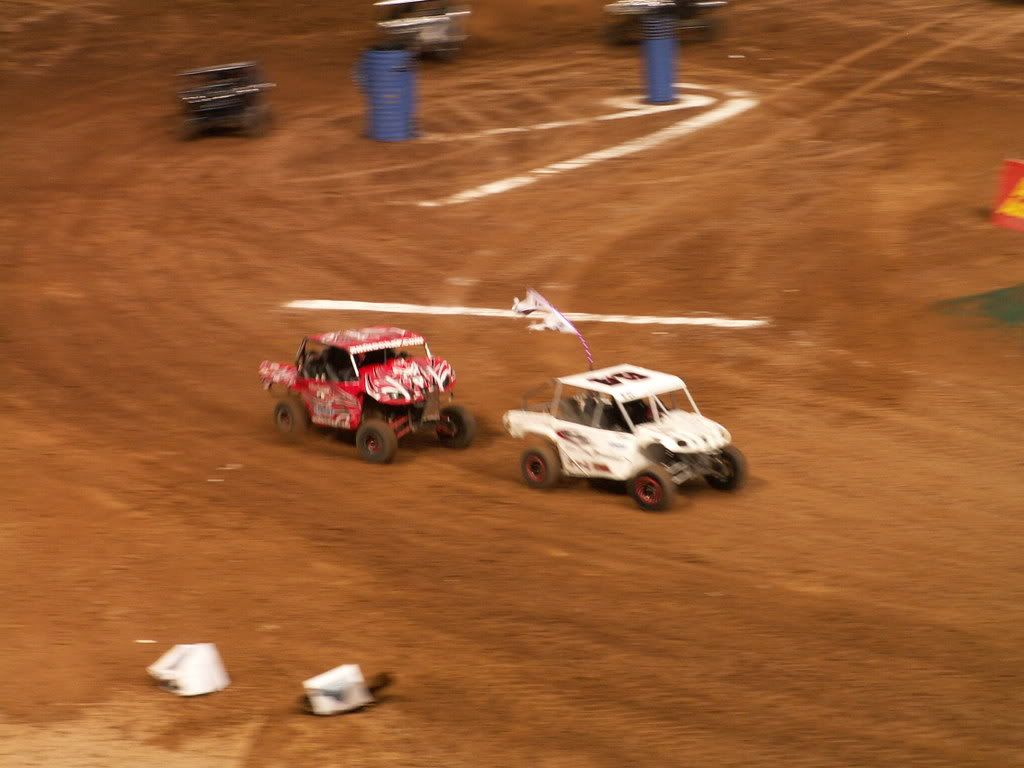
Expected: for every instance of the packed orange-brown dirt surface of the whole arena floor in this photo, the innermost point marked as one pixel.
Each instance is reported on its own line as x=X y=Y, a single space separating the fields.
x=859 y=605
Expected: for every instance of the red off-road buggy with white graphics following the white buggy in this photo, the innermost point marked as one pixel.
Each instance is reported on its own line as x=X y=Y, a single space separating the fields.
x=381 y=383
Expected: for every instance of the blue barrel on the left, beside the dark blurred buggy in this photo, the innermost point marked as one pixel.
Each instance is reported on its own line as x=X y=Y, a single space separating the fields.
x=388 y=76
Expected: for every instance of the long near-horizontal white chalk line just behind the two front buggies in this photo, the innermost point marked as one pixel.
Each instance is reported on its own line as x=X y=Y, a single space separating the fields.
x=480 y=312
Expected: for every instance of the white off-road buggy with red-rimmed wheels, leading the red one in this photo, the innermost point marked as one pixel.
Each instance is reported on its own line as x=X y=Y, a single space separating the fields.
x=626 y=424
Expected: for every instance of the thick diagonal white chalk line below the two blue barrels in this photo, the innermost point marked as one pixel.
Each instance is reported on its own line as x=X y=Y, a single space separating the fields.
x=736 y=106
